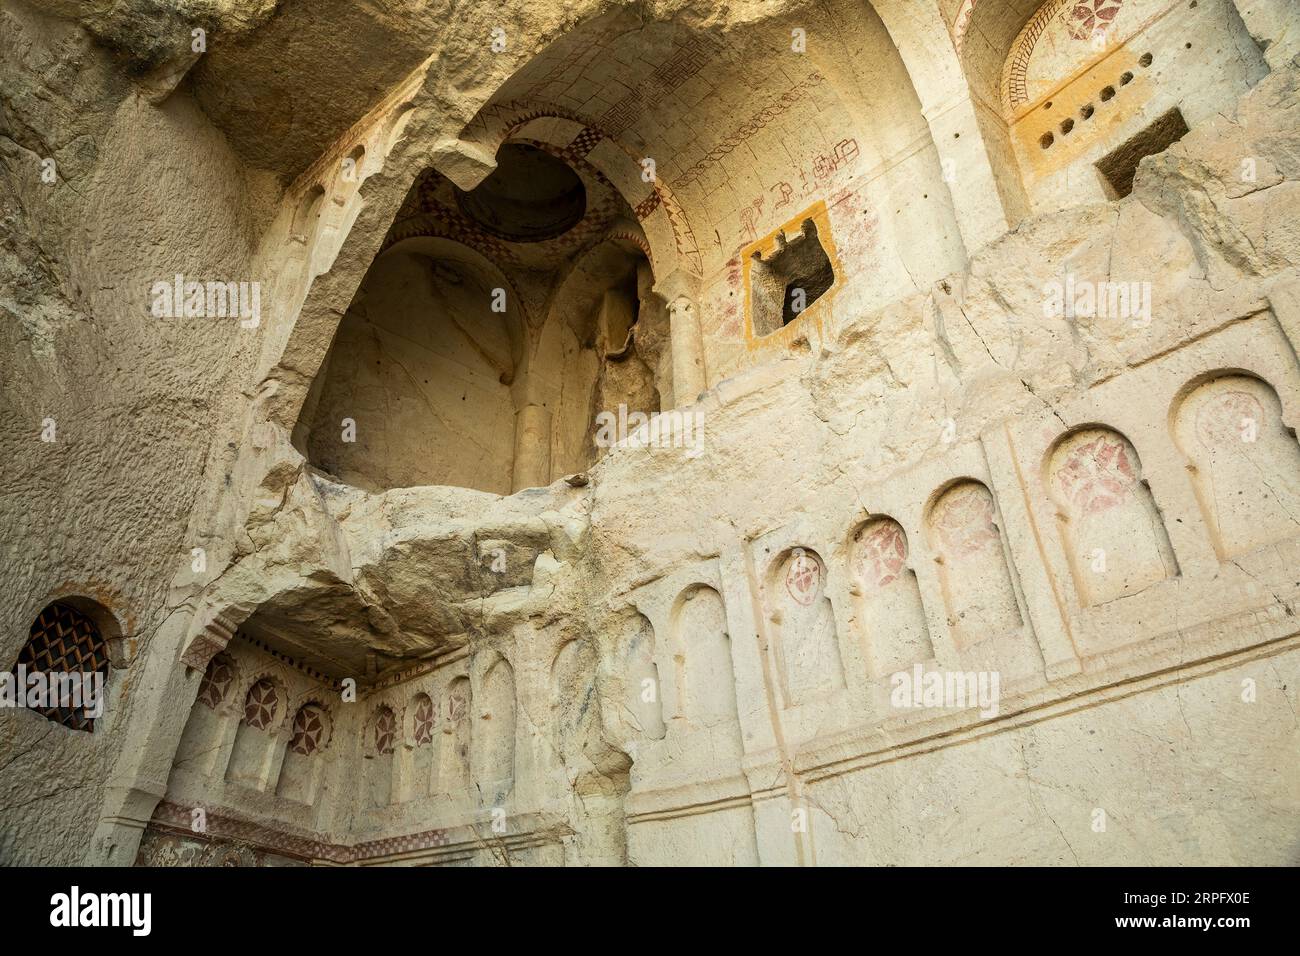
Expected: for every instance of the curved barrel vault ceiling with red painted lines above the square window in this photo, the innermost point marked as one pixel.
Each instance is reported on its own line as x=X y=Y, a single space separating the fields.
x=744 y=129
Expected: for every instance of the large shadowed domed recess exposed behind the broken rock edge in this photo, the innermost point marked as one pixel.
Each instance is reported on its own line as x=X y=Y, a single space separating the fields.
x=489 y=330
